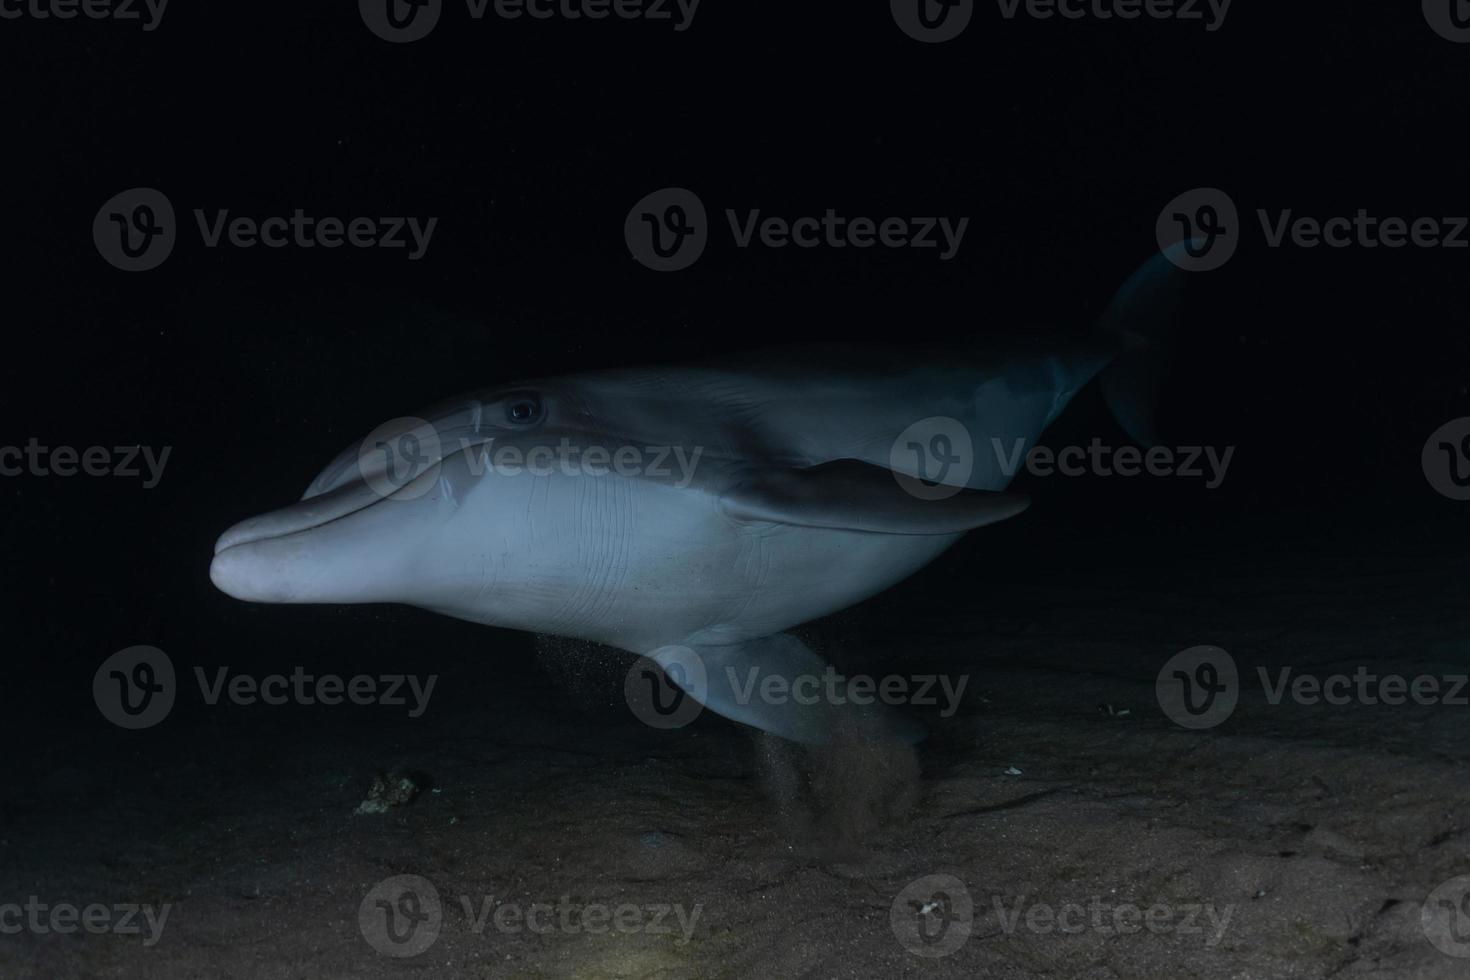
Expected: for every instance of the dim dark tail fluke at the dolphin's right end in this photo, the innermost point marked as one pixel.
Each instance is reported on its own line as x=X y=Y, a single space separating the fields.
x=1139 y=323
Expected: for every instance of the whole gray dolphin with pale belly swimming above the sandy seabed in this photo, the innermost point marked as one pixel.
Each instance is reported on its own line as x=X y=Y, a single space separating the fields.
x=690 y=514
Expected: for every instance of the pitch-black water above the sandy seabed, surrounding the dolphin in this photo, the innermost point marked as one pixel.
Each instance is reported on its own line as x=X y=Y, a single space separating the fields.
x=530 y=142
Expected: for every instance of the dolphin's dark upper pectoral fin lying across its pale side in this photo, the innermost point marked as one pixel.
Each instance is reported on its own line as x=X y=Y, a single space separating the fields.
x=856 y=496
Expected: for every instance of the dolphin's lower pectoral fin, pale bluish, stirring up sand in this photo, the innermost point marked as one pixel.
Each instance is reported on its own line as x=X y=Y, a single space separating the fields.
x=778 y=685
